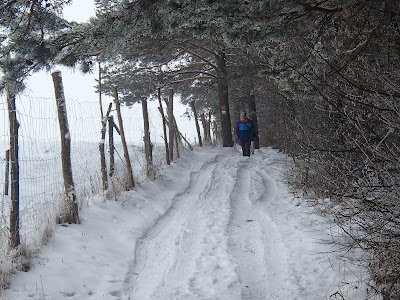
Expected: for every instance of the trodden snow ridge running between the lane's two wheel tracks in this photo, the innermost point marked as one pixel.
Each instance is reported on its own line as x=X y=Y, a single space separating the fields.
x=214 y=276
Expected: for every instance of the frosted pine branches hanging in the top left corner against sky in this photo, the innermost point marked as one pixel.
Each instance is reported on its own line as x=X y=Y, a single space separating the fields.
x=25 y=47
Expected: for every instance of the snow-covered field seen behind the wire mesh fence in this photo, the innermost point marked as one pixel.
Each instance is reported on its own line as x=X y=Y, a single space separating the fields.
x=41 y=182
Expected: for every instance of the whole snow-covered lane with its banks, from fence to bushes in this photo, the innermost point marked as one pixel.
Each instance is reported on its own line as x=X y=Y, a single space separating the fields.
x=214 y=225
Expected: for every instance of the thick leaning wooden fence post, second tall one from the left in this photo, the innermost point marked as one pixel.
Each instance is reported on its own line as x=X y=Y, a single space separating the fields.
x=71 y=216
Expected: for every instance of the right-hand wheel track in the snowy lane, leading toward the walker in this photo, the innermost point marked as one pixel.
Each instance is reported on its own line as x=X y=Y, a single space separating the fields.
x=256 y=245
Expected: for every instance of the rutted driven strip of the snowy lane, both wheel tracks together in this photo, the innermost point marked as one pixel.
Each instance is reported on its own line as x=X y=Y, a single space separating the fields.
x=213 y=242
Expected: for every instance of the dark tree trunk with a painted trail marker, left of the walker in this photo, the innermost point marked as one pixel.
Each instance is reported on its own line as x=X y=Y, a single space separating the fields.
x=226 y=132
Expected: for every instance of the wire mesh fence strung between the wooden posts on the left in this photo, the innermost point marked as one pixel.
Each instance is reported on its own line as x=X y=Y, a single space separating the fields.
x=41 y=179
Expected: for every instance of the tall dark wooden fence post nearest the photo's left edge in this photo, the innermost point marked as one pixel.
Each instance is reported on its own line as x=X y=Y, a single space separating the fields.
x=14 y=215
